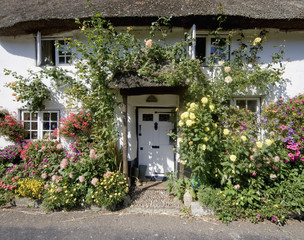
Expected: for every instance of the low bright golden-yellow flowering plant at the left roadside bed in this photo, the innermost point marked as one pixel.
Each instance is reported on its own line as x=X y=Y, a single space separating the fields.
x=30 y=187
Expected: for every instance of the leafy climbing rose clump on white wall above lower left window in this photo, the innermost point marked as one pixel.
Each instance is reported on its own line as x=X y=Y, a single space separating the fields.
x=29 y=90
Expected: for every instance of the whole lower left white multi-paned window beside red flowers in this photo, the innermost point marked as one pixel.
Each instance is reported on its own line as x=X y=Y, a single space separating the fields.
x=39 y=125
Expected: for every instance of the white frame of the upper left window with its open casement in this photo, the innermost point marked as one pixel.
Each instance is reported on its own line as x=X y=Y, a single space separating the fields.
x=39 y=60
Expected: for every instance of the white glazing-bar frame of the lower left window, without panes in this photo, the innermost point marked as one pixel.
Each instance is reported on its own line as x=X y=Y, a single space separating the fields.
x=40 y=121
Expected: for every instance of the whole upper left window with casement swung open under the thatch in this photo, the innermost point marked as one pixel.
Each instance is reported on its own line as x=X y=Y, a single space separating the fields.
x=49 y=54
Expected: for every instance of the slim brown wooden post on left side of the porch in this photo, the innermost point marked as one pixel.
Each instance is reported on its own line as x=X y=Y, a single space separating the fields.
x=125 y=134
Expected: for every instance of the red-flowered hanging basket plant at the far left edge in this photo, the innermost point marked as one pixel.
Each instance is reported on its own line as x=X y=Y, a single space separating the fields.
x=10 y=127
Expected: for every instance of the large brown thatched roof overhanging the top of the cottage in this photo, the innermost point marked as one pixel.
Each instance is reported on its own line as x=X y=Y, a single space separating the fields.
x=28 y=16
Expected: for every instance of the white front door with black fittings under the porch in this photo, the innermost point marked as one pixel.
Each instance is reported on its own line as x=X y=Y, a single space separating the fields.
x=155 y=147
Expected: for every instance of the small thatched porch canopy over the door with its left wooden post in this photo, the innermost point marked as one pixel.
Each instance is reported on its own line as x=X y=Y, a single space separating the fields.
x=130 y=83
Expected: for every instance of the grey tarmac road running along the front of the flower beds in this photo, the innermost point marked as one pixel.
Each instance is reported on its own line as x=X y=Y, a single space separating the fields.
x=25 y=223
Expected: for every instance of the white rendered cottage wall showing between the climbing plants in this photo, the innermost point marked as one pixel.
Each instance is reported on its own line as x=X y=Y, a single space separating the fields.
x=19 y=54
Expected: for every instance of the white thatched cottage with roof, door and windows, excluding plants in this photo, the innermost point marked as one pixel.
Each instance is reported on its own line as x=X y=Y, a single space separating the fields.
x=29 y=30
